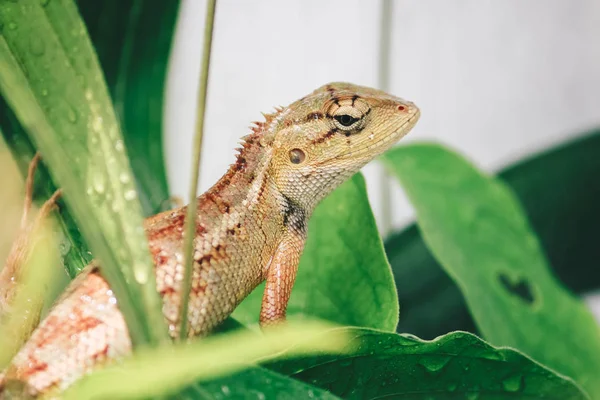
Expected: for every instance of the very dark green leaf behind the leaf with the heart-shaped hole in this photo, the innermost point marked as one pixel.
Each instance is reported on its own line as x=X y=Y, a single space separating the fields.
x=565 y=220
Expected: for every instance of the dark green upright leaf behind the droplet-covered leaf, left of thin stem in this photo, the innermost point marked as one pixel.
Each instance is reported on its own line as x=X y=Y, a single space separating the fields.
x=133 y=41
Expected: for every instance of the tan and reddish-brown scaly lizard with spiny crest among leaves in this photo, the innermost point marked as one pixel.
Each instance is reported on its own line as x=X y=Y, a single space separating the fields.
x=250 y=227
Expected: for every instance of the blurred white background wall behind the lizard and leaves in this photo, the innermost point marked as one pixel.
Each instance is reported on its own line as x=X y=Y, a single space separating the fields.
x=496 y=80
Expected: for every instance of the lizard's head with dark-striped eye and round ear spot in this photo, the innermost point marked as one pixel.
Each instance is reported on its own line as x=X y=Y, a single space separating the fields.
x=322 y=139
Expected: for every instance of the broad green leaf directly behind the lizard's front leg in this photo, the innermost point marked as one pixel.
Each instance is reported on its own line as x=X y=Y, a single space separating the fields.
x=344 y=276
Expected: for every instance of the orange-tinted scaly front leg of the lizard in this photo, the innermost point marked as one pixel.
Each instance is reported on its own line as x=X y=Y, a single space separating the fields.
x=280 y=277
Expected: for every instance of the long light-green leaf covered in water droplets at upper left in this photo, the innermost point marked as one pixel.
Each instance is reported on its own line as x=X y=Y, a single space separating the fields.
x=50 y=77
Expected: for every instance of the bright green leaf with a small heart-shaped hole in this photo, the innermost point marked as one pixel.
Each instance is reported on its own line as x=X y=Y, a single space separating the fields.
x=477 y=230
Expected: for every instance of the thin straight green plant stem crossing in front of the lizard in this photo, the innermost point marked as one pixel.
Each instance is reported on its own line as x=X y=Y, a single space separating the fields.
x=190 y=220
